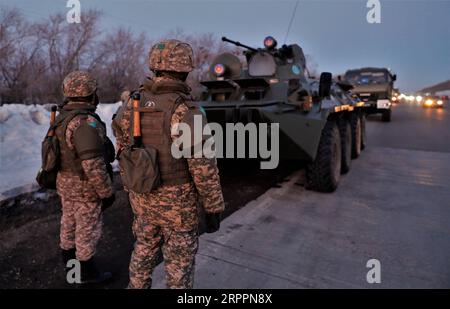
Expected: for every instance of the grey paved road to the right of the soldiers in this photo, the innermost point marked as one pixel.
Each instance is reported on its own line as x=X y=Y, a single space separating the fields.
x=393 y=206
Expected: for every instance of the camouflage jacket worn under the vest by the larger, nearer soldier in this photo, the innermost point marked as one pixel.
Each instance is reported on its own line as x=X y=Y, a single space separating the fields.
x=174 y=205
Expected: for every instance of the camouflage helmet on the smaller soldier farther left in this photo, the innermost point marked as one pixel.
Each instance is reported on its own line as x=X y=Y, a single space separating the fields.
x=79 y=84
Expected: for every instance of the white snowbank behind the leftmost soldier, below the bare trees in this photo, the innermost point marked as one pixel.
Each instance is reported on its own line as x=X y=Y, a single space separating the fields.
x=22 y=128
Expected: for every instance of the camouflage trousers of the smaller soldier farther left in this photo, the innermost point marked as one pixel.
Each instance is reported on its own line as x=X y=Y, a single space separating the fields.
x=81 y=227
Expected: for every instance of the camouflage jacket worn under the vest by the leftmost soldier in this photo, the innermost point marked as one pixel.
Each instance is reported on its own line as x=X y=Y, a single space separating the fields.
x=96 y=184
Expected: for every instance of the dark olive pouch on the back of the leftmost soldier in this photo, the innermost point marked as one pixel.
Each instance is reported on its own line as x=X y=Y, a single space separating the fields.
x=46 y=177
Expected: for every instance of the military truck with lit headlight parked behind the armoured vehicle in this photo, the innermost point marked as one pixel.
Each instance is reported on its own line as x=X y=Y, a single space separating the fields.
x=375 y=87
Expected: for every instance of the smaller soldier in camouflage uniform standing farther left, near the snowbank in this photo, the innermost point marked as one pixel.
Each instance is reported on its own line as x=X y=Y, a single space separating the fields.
x=84 y=181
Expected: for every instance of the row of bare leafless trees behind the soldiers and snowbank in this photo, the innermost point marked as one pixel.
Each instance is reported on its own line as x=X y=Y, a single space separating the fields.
x=35 y=57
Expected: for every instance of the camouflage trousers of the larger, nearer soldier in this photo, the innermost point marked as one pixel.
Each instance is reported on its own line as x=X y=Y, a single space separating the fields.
x=178 y=249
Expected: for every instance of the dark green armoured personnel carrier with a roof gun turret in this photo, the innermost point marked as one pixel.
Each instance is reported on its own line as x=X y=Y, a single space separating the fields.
x=318 y=123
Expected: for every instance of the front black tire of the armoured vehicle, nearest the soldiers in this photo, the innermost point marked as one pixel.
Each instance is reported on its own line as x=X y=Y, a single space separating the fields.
x=323 y=173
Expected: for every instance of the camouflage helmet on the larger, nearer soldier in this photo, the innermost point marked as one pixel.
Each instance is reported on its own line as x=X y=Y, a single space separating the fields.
x=171 y=55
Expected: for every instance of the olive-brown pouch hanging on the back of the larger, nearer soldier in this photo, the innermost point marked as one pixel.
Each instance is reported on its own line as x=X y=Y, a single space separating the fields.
x=140 y=169
